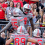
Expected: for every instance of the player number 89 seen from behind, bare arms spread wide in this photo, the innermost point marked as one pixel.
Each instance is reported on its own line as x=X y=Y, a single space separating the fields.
x=21 y=37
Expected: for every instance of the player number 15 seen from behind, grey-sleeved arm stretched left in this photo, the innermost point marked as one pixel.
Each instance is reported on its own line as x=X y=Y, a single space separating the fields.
x=15 y=20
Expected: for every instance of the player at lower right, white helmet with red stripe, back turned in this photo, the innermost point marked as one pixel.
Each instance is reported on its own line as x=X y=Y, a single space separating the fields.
x=37 y=34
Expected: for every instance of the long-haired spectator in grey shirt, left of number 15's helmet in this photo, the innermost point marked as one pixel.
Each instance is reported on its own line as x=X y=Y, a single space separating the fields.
x=9 y=11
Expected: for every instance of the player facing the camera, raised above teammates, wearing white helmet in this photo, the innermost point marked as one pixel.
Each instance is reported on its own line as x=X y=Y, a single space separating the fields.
x=28 y=17
